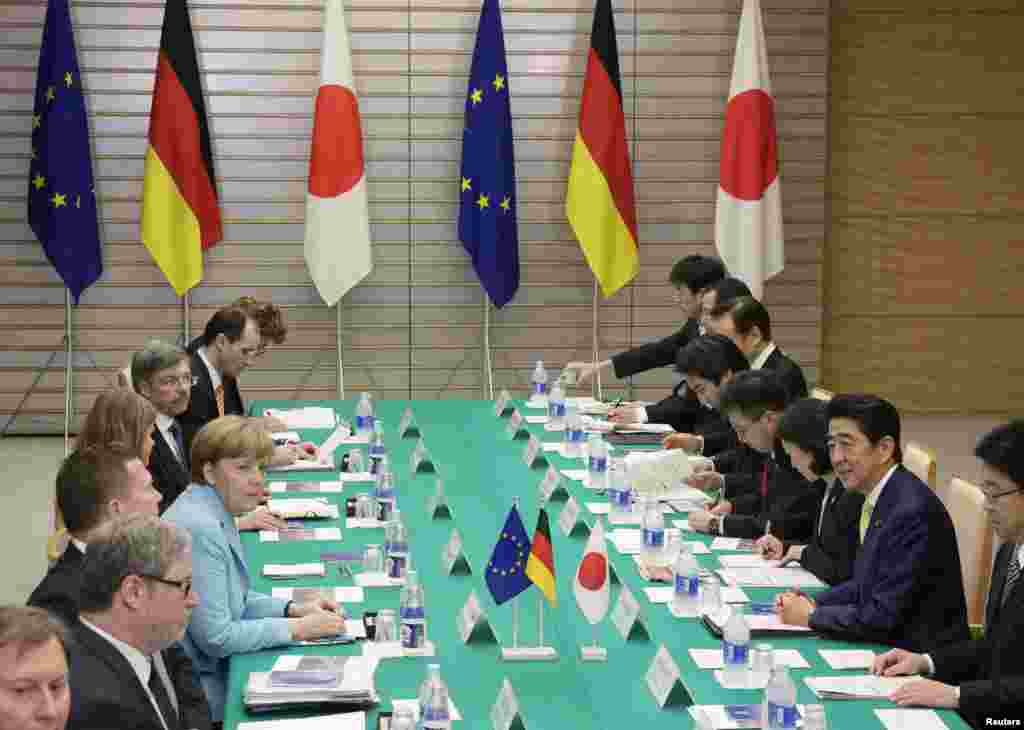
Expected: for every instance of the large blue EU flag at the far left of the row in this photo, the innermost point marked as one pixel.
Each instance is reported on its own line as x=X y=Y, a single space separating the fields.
x=62 y=198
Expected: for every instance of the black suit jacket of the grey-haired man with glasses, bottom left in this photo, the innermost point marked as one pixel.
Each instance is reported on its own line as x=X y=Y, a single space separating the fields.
x=107 y=694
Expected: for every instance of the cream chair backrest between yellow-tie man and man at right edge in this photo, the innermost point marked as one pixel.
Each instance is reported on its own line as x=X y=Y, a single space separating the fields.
x=975 y=538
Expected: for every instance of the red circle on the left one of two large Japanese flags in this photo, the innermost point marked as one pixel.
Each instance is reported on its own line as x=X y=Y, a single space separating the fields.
x=336 y=158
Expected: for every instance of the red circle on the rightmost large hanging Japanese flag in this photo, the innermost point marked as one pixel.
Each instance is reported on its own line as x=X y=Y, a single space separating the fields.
x=750 y=157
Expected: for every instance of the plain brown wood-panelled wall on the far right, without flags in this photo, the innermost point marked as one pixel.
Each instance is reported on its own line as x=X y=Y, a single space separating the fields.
x=927 y=204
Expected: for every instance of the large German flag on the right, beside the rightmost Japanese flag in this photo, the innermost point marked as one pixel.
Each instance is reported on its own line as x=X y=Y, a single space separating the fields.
x=600 y=202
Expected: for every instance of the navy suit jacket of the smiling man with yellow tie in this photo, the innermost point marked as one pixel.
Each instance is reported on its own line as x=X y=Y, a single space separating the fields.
x=908 y=589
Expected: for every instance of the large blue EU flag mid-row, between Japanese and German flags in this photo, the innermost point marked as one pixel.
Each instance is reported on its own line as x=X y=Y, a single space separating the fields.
x=488 y=225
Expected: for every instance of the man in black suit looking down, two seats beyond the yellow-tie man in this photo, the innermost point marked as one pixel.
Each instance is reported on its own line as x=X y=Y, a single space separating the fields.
x=763 y=494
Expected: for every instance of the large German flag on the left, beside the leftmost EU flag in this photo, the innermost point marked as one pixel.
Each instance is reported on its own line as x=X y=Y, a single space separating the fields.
x=181 y=213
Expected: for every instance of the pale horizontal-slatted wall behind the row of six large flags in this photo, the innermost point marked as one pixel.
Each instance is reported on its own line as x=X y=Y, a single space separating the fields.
x=414 y=328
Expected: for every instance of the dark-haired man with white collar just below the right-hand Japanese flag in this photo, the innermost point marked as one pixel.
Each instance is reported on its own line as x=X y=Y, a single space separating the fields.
x=746 y=322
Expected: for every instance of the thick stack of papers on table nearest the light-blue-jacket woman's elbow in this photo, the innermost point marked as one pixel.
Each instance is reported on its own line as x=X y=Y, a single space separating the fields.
x=305 y=680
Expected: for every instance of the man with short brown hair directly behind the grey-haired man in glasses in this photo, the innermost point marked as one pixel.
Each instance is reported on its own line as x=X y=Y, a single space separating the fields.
x=93 y=488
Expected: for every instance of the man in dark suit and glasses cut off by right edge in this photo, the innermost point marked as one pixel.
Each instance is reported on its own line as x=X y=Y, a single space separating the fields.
x=985 y=678
